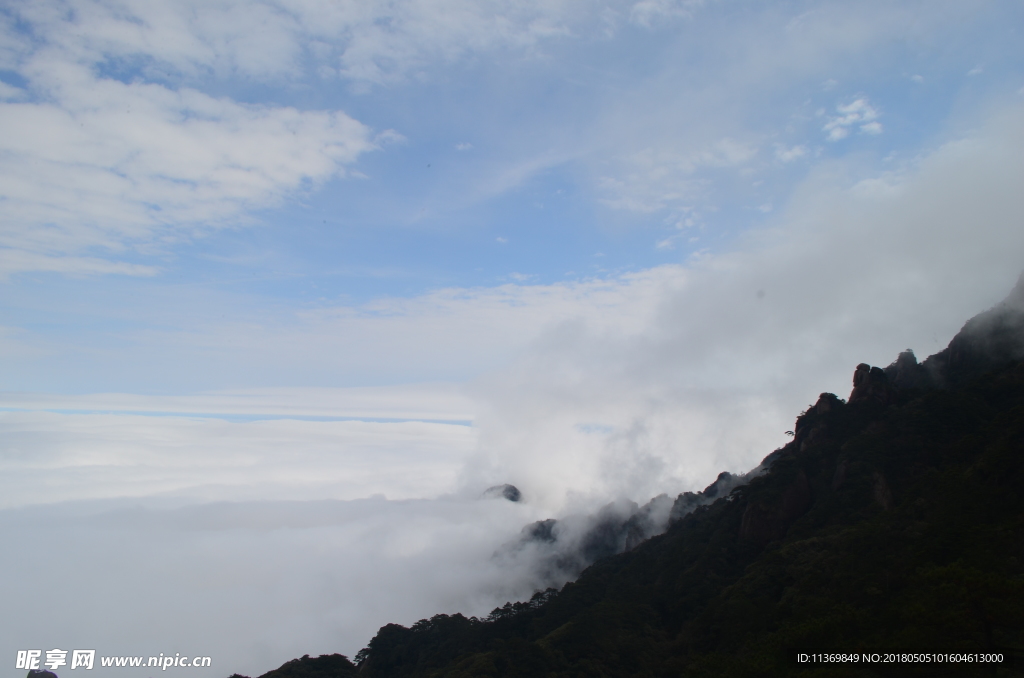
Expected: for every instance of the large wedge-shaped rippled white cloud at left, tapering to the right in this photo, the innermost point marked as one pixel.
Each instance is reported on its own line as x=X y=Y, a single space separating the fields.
x=112 y=166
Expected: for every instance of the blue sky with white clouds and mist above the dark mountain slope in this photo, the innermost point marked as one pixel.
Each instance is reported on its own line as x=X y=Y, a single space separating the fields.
x=286 y=285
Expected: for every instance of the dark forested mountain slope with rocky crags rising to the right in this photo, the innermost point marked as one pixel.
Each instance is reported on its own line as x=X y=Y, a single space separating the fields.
x=892 y=522
